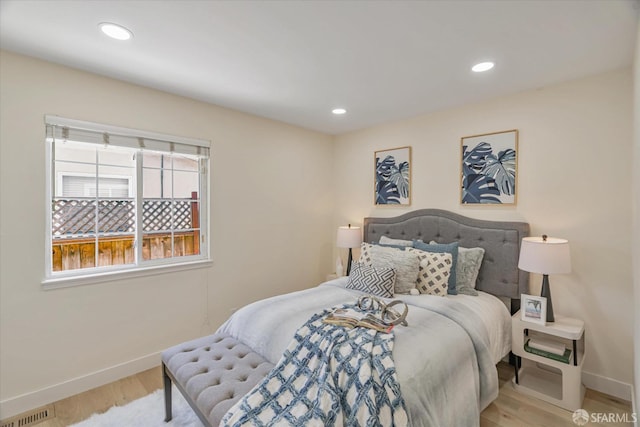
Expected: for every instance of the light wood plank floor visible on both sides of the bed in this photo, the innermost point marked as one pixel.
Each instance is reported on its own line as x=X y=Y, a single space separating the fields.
x=511 y=409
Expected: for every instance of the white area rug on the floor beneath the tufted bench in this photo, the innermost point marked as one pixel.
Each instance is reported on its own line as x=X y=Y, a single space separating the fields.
x=147 y=411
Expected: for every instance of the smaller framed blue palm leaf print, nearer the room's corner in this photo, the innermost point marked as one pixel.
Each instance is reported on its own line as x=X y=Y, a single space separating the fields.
x=392 y=183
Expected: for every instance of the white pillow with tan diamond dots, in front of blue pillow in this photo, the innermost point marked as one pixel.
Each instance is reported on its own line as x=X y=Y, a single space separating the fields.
x=434 y=272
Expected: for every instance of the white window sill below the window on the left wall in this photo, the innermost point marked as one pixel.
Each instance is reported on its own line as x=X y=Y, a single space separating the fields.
x=89 y=279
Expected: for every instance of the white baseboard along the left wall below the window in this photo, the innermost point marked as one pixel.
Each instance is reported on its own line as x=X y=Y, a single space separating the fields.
x=19 y=404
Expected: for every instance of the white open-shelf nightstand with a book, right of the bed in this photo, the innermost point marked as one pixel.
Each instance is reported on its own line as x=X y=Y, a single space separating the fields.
x=553 y=381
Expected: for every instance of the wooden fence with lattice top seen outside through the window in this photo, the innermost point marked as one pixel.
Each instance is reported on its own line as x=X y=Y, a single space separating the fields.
x=73 y=217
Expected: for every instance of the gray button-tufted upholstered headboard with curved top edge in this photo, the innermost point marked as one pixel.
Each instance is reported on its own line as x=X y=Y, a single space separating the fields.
x=499 y=274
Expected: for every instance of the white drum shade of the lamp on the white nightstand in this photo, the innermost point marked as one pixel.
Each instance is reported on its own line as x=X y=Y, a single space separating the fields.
x=550 y=256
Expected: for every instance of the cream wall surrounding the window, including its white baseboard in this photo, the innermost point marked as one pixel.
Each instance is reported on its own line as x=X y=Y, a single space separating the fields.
x=271 y=198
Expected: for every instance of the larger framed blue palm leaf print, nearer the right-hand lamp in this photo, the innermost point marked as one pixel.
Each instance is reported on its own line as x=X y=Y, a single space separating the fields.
x=489 y=168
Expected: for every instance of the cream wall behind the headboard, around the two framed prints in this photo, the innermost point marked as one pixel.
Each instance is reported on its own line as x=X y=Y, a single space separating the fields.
x=574 y=181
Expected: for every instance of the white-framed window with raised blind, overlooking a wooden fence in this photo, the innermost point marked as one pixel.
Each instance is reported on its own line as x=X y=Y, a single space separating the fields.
x=123 y=200
